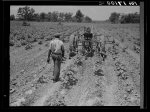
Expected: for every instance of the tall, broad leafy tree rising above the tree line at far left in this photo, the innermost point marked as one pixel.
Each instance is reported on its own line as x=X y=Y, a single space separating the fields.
x=25 y=13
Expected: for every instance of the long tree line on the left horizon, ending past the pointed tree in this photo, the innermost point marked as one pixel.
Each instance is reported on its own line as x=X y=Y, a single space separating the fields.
x=28 y=14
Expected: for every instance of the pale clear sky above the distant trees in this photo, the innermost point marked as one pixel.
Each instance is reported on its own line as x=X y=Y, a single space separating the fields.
x=94 y=12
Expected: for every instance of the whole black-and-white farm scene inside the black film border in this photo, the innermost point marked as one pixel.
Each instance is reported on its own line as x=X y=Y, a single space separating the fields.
x=74 y=55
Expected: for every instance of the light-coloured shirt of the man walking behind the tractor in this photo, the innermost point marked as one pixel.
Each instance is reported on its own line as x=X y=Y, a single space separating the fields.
x=56 y=46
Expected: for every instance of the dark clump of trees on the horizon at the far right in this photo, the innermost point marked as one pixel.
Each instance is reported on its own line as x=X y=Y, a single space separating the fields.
x=124 y=18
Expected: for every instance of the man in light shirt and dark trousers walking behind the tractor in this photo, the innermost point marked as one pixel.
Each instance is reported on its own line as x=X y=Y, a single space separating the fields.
x=57 y=52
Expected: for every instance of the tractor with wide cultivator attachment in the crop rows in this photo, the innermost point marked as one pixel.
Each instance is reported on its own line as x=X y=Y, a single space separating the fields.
x=87 y=47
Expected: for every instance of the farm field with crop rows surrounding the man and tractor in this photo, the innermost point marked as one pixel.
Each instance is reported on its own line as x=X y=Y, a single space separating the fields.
x=84 y=82
